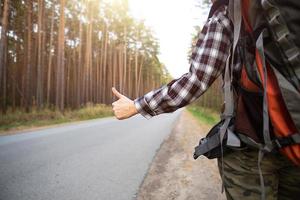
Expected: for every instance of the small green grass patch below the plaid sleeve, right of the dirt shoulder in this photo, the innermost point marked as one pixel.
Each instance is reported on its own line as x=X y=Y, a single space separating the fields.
x=205 y=115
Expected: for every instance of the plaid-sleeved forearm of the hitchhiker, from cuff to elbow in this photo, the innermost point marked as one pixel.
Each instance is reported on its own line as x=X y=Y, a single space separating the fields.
x=176 y=94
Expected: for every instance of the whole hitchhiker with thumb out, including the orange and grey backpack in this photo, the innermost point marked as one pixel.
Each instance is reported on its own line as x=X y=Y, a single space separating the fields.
x=255 y=46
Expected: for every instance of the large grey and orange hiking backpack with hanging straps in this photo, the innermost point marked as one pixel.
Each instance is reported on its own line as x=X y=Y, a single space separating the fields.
x=265 y=38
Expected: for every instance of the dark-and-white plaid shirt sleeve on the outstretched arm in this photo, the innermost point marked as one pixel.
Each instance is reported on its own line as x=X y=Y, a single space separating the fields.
x=207 y=63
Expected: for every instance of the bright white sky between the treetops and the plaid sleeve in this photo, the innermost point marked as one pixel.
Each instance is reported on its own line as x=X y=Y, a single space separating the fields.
x=173 y=24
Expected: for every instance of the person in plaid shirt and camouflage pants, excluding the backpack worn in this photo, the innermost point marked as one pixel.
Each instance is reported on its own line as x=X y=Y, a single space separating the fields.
x=208 y=60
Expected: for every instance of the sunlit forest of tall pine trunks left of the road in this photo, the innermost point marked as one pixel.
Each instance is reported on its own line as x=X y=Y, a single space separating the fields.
x=62 y=54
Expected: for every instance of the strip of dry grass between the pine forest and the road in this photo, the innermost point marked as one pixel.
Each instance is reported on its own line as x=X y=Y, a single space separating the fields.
x=19 y=120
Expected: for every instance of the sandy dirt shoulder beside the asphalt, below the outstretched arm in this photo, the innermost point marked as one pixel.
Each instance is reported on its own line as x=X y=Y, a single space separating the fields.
x=175 y=175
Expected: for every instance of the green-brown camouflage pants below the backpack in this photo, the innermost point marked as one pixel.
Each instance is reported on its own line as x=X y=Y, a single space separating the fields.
x=241 y=176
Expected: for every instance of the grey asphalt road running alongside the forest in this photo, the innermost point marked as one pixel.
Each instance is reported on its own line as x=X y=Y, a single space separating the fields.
x=101 y=159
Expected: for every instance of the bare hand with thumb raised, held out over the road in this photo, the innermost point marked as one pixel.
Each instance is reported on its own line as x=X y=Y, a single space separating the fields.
x=124 y=107
